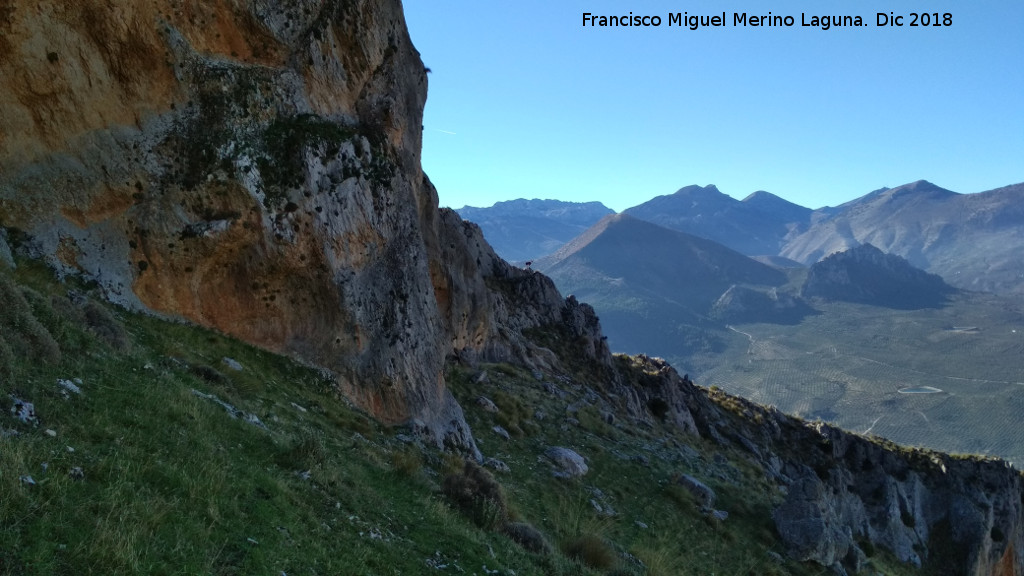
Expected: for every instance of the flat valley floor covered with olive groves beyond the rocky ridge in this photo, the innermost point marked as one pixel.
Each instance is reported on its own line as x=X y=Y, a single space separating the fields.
x=854 y=365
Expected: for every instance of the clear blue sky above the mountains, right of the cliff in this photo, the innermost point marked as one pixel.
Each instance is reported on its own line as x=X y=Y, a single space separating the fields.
x=527 y=103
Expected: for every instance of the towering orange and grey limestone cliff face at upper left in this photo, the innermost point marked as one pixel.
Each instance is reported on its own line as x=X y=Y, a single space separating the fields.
x=254 y=168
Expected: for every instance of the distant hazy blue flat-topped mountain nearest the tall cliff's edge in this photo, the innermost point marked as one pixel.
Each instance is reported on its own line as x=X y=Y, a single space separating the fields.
x=523 y=230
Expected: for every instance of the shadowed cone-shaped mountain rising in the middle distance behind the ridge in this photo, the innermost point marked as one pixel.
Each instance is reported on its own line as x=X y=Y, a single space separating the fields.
x=653 y=286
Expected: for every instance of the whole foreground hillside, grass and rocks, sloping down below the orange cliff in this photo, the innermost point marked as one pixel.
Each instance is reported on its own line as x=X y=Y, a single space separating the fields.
x=133 y=444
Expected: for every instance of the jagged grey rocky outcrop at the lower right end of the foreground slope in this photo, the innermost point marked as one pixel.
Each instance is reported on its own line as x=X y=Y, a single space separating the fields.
x=847 y=496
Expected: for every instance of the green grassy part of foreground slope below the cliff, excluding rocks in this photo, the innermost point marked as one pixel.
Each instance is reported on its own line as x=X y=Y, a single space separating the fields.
x=175 y=485
